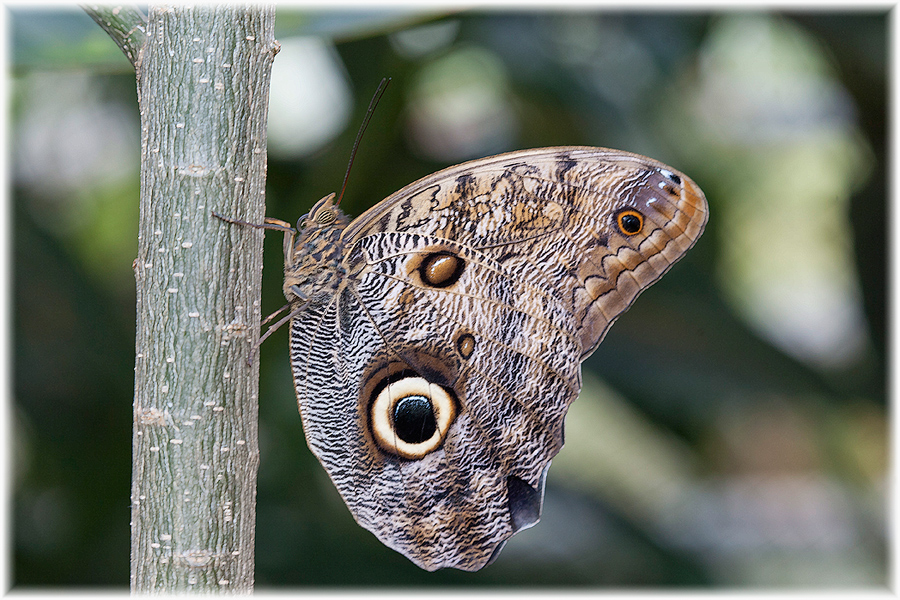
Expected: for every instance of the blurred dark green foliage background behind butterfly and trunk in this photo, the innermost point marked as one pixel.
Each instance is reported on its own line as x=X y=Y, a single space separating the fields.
x=732 y=430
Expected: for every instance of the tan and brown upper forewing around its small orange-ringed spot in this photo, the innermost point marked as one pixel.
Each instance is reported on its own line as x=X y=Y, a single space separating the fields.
x=548 y=215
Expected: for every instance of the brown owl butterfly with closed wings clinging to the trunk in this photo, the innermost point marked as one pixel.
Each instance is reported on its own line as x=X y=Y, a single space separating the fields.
x=436 y=341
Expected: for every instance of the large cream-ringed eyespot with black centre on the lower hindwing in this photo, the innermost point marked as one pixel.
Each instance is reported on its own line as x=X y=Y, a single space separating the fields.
x=411 y=417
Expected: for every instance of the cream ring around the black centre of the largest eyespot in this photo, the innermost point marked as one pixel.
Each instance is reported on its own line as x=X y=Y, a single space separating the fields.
x=382 y=416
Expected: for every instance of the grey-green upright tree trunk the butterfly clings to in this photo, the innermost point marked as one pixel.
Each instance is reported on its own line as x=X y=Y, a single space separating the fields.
x=203 y=82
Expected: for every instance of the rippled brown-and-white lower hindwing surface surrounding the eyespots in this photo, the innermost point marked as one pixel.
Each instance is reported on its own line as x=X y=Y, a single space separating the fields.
x=513 y=383
